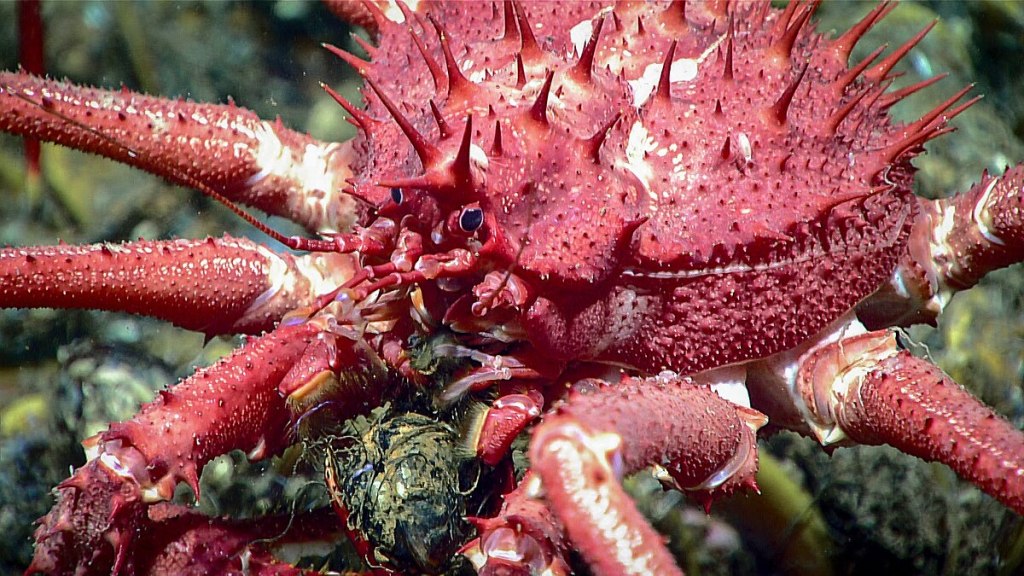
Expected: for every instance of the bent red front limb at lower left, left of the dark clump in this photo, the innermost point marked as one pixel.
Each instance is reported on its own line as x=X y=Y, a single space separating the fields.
x=234 y=405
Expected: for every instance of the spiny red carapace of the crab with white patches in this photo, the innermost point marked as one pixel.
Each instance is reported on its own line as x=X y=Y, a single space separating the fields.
x=734 y=186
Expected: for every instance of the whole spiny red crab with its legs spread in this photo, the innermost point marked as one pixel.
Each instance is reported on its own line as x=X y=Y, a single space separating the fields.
x=652 y=228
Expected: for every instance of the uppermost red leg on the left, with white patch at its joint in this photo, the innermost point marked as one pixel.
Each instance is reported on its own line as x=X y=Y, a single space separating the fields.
x=227 y=148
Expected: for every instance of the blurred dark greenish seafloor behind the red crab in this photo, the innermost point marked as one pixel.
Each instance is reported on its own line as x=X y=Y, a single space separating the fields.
x=64 y=375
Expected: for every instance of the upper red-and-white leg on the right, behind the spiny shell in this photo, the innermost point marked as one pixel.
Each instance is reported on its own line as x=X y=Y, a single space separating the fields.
x=955 y=242
